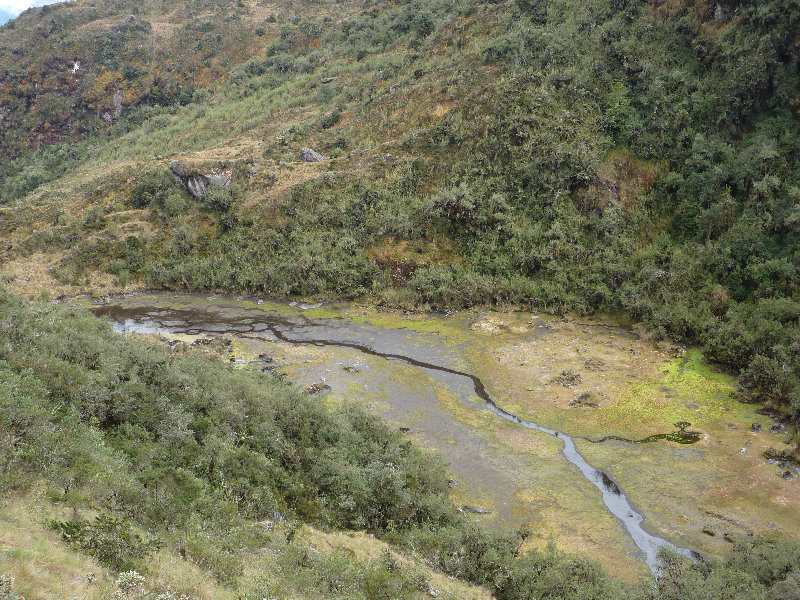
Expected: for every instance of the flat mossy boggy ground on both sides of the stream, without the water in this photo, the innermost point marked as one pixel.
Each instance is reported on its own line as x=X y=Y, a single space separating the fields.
x=537 y=367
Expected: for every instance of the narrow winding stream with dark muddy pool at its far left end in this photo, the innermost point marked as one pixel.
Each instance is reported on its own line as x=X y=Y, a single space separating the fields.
x=217 y=317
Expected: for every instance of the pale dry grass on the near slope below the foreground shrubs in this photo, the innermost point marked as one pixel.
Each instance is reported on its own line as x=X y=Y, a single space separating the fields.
x=45 y=569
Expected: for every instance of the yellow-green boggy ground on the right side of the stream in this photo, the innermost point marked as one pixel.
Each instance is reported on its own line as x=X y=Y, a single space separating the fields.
x=721 y=484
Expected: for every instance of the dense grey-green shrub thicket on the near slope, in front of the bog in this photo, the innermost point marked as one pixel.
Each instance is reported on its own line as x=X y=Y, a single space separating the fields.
x=179 y=451
